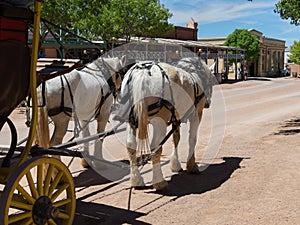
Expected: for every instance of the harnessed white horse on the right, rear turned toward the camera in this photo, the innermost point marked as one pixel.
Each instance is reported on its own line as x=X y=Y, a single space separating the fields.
x=162 y=94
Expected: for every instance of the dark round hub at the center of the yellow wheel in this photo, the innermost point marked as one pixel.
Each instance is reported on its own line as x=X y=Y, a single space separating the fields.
x=43 y=210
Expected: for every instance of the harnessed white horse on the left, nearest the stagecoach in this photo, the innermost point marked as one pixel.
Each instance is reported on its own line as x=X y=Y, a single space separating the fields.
x=85 y=95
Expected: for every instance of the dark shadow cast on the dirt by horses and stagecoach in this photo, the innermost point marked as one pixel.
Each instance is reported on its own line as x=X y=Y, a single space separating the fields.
x=180 y=185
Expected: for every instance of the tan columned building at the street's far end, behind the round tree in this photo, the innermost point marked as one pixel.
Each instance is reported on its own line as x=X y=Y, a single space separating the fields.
x=271 y=59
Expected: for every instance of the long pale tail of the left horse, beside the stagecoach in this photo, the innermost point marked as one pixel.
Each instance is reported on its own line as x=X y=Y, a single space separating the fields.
x=42 y=137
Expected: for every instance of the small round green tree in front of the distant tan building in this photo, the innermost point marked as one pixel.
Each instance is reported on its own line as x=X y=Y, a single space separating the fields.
x=242 y=38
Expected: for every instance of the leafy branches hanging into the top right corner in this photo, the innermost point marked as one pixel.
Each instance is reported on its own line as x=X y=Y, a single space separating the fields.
x=289 y=9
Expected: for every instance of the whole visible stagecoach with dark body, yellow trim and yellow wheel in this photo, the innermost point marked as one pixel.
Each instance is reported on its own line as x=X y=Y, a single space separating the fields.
x=33 y=190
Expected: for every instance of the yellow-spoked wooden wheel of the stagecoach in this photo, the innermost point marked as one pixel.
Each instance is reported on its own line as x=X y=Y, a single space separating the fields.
x=32 y=196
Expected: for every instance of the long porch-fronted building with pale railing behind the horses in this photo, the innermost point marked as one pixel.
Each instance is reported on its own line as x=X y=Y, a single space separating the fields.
x=182 y=41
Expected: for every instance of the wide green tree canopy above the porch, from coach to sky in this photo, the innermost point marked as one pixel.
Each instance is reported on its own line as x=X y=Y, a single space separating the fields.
x=108 y=19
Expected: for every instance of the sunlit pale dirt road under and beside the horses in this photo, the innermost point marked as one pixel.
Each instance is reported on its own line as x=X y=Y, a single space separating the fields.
x=251 y=144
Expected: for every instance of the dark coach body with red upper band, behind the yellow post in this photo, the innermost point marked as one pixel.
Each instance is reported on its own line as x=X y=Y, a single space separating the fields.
x=14 y=58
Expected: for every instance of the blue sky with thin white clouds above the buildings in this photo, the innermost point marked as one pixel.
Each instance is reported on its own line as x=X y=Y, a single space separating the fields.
x=219 y=18
